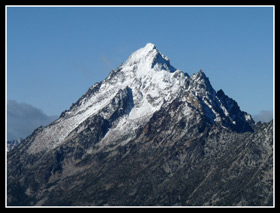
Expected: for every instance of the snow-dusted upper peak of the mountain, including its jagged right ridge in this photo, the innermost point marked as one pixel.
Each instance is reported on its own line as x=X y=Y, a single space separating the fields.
x=147 y=81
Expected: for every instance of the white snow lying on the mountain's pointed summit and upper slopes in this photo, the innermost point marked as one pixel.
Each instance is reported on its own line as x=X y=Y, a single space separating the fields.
x=152 y=80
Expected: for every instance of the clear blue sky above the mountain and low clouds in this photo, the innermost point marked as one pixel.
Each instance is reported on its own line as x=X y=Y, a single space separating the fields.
x=54 y=54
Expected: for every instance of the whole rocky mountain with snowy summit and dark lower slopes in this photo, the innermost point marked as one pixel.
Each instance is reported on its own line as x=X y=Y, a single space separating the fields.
x=149 y=134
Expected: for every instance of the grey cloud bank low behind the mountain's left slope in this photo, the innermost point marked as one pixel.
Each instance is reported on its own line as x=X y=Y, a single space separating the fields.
x=23 y=119
